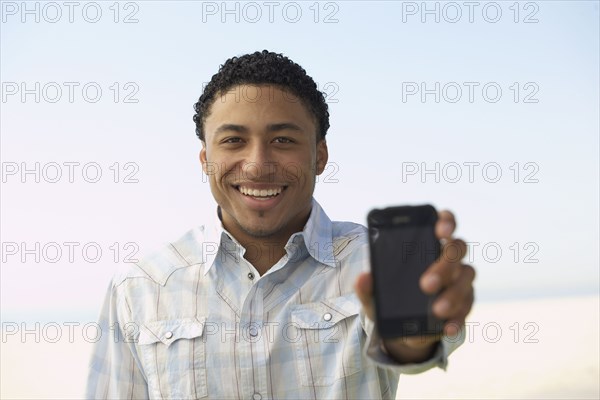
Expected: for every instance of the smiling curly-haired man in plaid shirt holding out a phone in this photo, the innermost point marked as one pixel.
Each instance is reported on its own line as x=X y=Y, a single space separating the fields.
x=272 y=300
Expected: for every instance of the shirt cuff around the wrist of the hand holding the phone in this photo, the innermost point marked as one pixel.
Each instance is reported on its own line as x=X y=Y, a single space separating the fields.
x=439 y=359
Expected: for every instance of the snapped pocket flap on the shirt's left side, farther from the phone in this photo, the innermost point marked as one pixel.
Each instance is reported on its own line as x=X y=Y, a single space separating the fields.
x=168 y=331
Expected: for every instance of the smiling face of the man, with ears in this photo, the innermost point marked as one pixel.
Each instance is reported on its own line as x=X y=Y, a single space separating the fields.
x=261 y=155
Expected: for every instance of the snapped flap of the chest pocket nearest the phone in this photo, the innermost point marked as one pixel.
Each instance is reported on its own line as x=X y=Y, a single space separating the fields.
x=326 y=313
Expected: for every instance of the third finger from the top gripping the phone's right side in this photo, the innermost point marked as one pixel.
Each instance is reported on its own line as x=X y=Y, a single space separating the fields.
x=456 y=300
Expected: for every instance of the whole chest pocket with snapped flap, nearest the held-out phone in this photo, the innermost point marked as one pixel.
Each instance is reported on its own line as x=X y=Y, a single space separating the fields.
x=329 y=340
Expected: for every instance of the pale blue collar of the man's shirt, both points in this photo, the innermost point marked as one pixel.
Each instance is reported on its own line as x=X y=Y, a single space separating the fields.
x=317 y=235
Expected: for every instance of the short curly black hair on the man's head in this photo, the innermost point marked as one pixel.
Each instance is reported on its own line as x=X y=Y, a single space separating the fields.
x=263 y=68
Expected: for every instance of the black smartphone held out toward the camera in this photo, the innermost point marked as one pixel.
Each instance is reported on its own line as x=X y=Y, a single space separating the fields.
x=403 y=245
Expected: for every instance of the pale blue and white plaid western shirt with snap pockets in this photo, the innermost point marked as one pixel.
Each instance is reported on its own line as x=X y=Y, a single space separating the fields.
x=195 y=320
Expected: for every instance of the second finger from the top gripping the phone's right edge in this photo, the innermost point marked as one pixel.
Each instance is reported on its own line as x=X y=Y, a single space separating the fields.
x=445 y=269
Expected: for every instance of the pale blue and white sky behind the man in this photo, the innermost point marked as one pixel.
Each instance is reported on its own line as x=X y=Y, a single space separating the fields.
x=366 y=56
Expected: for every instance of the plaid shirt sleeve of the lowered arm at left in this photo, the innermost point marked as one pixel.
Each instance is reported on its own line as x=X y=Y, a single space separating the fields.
x=114 y=370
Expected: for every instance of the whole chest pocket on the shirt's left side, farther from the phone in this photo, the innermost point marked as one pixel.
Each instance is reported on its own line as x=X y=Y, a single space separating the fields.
x=174 y=358
